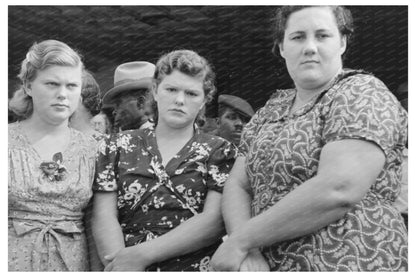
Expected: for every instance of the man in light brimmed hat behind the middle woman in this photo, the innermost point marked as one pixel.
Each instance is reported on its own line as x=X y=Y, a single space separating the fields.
x=132 y=80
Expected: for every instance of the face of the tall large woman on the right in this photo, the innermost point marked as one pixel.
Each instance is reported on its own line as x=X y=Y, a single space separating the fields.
x=312 y=47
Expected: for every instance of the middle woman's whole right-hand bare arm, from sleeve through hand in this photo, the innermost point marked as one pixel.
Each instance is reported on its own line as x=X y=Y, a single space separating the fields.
x=197 y=232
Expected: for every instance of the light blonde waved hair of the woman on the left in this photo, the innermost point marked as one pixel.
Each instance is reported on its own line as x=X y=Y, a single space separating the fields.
x=39 y=57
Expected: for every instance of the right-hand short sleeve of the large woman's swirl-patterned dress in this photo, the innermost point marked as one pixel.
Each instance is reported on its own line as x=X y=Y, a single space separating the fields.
x=363 y=108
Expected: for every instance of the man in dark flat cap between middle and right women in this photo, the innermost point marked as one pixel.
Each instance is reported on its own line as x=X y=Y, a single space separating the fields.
x=233 y=114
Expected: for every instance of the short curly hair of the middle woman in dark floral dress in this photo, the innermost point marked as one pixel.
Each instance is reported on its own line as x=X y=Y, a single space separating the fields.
x=189 y=63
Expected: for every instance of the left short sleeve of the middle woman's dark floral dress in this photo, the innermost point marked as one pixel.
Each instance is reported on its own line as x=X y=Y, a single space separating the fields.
x=106 y=161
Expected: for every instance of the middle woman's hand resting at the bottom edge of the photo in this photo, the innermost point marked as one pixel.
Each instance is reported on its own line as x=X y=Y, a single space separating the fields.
x=127 y=259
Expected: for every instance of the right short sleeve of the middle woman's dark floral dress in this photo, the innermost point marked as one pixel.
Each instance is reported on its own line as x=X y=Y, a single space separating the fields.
x=219 y=164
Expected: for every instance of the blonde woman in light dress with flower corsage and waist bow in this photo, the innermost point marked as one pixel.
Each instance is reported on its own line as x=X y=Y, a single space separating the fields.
x=51 y=166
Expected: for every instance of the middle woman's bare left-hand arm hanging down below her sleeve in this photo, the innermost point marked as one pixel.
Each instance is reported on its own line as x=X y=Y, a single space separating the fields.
x=105 y=226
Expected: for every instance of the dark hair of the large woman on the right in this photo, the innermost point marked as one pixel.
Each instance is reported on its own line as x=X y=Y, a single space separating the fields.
x=342 y=15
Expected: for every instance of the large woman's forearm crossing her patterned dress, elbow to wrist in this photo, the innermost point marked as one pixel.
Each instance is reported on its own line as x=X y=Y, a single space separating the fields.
x=304 y=210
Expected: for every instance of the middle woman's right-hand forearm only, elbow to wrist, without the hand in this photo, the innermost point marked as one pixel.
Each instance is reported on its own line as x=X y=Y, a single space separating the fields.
x=197 y=232
